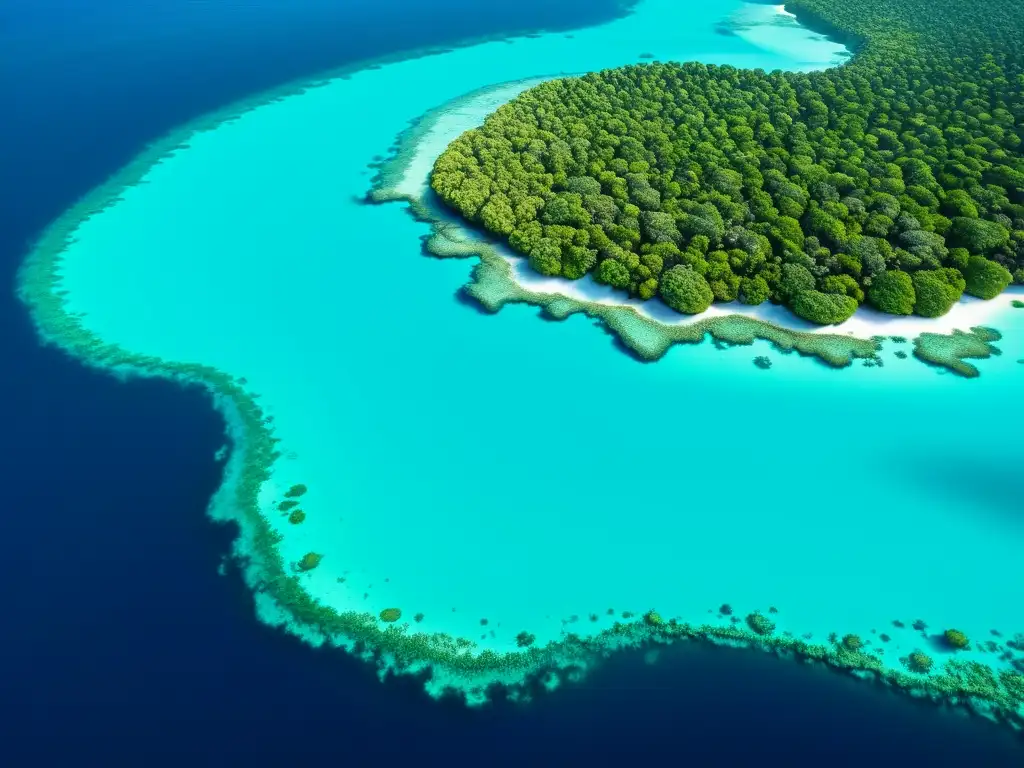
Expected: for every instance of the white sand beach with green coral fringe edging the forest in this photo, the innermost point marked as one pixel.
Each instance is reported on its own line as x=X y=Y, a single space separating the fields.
x=650 y=329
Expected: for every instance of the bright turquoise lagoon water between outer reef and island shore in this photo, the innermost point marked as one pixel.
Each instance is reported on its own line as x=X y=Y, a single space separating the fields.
x=526 y=473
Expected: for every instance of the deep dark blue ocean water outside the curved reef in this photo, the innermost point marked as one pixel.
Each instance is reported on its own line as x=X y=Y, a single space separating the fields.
x=122 y=645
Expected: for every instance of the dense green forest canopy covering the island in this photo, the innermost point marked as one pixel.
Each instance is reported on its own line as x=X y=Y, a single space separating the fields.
x=897 y=180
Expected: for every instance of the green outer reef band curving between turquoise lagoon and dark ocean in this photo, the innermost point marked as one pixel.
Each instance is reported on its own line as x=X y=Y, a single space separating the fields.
x=280 y=595
